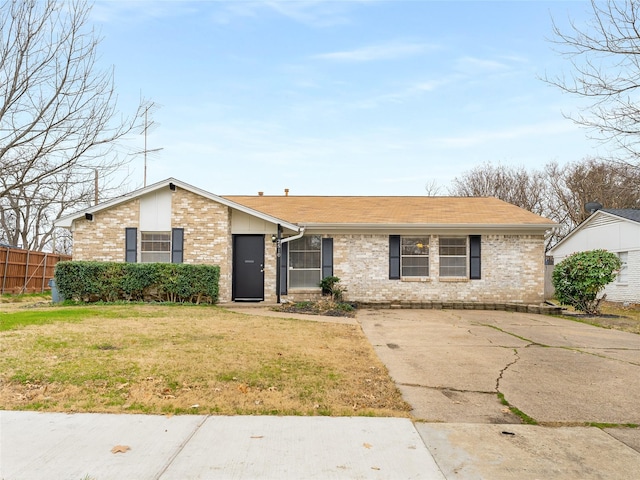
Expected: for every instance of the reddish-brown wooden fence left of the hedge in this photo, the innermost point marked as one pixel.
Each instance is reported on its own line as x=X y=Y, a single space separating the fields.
x=26 y=271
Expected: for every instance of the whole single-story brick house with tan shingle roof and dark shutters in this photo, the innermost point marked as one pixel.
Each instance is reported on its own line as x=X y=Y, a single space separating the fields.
x=383 y=249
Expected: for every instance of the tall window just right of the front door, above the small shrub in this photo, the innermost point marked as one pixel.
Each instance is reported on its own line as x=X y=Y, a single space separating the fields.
x=305 y=268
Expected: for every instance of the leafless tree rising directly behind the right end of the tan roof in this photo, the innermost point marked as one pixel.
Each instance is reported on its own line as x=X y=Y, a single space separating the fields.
x=515 y=185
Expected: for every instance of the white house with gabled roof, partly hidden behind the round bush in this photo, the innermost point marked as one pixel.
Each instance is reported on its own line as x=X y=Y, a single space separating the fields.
x=614 y=230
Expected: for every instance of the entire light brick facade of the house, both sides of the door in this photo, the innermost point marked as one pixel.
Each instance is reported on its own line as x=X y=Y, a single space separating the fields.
x=512 y=265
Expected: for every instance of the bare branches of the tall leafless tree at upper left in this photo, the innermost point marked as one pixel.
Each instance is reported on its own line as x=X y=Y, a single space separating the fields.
x=57 y=109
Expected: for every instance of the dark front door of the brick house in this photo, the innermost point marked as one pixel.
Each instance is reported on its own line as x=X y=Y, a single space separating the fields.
x=248 y=268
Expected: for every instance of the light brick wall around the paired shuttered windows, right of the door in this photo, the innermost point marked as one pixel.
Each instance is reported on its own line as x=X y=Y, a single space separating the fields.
x=512 y=272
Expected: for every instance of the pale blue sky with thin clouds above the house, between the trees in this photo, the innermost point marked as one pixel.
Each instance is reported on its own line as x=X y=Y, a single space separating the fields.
x=340 y=97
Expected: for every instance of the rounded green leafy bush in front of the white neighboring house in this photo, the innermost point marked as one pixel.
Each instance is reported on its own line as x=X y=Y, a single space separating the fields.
x=579 y=278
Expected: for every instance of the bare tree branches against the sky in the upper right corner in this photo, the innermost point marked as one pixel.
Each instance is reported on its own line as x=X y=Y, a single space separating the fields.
x=605 y=61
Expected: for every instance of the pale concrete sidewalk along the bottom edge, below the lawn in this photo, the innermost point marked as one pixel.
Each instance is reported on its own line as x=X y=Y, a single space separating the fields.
x=79 y=447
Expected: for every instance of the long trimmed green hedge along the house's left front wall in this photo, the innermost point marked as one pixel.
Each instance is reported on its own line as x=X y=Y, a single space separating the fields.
x=111 y=281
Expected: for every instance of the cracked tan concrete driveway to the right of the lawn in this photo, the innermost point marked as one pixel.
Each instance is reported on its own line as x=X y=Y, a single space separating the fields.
x=451 y=366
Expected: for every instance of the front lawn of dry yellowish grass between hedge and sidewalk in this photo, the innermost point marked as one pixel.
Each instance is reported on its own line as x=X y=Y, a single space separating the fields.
x=186 y=359
